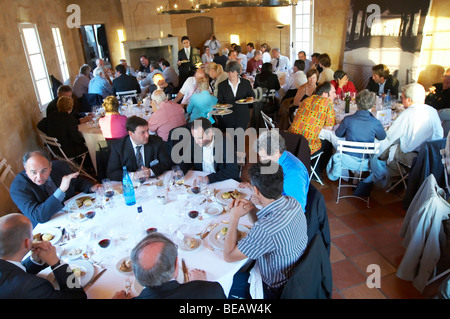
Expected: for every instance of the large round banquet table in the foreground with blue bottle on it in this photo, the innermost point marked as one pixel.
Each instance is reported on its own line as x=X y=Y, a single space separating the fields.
x=125 y=227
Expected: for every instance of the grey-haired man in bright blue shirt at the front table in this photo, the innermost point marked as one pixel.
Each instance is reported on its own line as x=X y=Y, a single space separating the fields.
x=271 y=146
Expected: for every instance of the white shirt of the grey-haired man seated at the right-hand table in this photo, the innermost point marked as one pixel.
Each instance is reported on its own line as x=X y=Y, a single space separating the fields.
x=417 y=124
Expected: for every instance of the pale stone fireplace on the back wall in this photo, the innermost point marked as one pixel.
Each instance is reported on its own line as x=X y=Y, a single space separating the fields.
x=154 y=49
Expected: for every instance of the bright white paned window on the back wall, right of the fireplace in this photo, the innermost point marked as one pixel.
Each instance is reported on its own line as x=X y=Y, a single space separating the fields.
x=302 y=21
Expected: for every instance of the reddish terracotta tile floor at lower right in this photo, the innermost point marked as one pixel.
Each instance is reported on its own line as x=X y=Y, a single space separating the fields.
x=363 y=236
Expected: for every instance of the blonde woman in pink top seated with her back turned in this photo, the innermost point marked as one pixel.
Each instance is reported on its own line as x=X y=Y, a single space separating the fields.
x=112 y=124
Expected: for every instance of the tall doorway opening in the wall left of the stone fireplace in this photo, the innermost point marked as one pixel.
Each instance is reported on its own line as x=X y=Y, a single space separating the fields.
x=95 y=43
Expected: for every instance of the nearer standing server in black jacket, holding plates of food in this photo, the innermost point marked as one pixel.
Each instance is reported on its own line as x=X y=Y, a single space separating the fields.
x=241 y=113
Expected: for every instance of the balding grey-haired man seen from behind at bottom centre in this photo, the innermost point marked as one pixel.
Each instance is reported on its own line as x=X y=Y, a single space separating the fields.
x=156 y=267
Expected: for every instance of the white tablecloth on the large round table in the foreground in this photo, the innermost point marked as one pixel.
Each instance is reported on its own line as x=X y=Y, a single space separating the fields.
x=114 y=223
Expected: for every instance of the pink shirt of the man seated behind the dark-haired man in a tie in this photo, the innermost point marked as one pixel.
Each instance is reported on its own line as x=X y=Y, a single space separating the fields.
x=168 y=116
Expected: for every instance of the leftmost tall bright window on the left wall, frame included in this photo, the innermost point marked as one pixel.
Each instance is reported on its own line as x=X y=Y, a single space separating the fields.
x=36 y=63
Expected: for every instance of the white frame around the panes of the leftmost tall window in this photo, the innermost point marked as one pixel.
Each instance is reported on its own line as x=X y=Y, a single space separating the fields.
x=22 y=26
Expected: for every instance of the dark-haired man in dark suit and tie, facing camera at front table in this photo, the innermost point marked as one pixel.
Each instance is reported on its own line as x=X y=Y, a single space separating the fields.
x=138 y=150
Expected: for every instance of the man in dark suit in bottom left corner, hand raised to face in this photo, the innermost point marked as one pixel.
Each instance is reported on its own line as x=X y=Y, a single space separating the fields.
x=18 y=278
